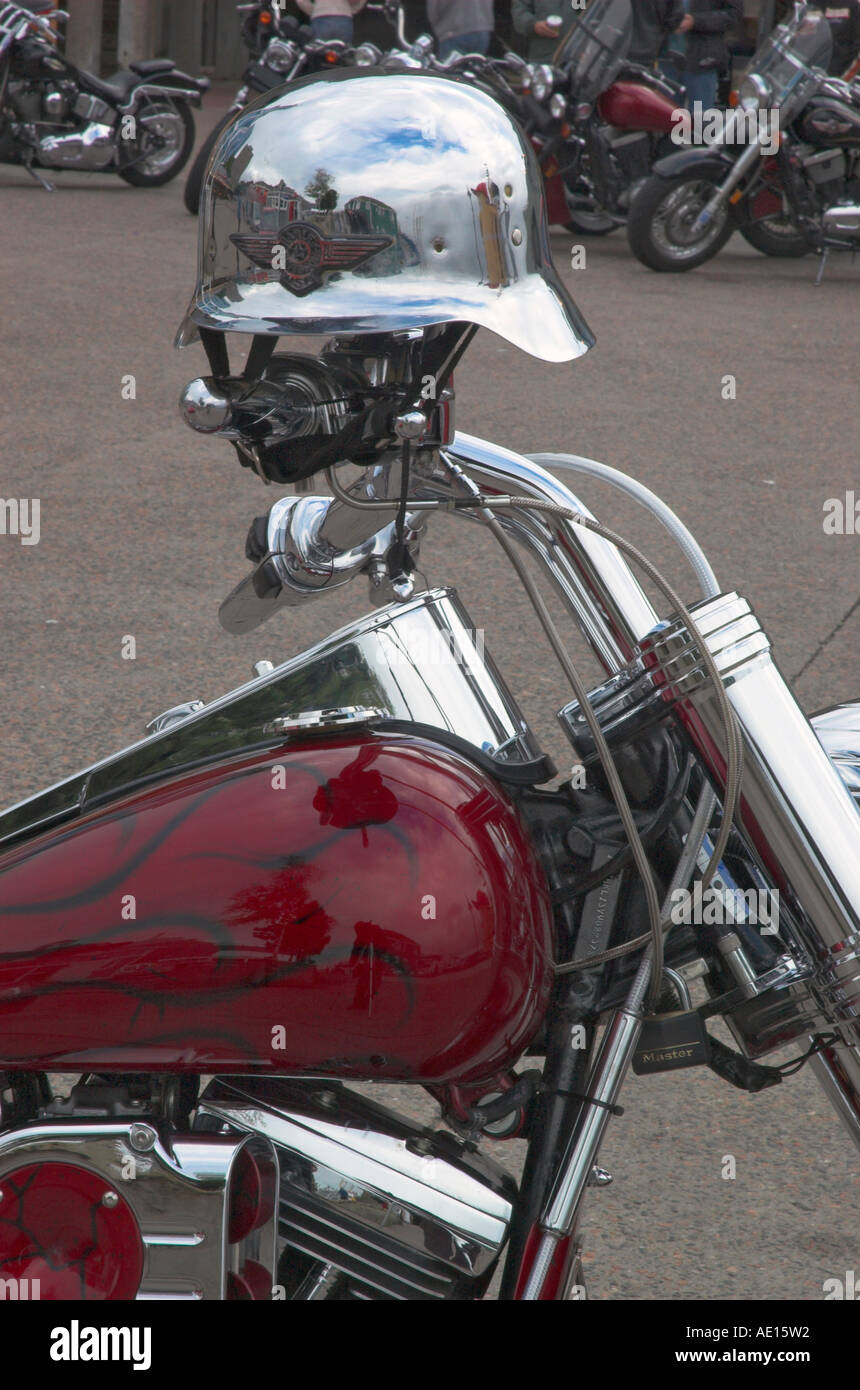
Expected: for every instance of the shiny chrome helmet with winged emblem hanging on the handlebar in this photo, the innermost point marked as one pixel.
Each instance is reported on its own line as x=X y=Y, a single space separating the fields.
x=369 y=202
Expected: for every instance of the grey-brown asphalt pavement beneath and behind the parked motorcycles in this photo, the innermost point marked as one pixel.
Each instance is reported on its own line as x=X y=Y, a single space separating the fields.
x=142 y=533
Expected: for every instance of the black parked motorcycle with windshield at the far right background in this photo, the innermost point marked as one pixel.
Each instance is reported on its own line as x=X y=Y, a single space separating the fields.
x=791 y=187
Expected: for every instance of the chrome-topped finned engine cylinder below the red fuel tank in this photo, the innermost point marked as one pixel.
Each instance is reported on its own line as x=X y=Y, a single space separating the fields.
x=380 y=1209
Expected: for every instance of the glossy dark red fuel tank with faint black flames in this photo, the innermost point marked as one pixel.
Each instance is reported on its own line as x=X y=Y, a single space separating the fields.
x=372 y=910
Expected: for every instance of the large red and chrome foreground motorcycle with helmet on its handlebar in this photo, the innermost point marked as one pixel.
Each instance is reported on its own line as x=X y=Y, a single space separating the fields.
x=361 y=865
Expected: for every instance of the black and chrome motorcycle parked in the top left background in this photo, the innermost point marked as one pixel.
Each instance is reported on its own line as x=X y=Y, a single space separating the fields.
x=137 y=124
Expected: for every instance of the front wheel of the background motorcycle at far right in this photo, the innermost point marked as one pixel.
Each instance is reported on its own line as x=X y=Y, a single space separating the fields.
x=661 y=226
